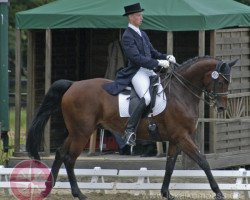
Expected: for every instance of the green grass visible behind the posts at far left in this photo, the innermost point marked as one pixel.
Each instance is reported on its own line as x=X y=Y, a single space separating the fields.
x=4 y=157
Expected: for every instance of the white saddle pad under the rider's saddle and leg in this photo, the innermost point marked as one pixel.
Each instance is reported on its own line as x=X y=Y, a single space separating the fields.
x=160 y=103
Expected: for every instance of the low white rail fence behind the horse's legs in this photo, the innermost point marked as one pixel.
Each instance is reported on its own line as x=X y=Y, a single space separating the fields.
x=142 y=180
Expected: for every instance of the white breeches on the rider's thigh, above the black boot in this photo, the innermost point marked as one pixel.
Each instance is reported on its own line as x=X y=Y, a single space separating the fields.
x=141 y=83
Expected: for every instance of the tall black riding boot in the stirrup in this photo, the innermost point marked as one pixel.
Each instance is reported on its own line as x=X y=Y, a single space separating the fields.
x=133 y=121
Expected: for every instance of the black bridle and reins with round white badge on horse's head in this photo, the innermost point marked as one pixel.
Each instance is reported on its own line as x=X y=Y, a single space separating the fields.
x=211 y=95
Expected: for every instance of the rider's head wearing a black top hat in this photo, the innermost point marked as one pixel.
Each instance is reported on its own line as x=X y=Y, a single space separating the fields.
x=134 y=13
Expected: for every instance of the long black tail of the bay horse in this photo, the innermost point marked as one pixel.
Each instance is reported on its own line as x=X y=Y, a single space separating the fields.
x=51 y=103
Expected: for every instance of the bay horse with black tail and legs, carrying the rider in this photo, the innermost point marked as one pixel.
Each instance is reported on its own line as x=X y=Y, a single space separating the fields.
x=85 y=106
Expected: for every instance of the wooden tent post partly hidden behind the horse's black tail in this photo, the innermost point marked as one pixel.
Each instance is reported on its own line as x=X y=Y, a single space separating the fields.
x=48 y=57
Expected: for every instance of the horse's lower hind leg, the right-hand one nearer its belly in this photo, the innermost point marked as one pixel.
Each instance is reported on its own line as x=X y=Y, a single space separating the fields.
x=73 y=147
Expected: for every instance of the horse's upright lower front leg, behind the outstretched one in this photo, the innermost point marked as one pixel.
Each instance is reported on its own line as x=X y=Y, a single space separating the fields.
x=171 y=160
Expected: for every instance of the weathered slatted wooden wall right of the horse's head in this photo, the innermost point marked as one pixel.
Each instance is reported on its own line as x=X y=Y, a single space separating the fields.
x=232 y=138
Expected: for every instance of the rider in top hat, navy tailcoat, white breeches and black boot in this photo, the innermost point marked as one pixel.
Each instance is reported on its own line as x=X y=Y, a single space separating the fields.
x=142 y=59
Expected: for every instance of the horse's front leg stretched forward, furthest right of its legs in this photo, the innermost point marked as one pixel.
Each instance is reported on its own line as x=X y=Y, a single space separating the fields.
x=189 y=147
